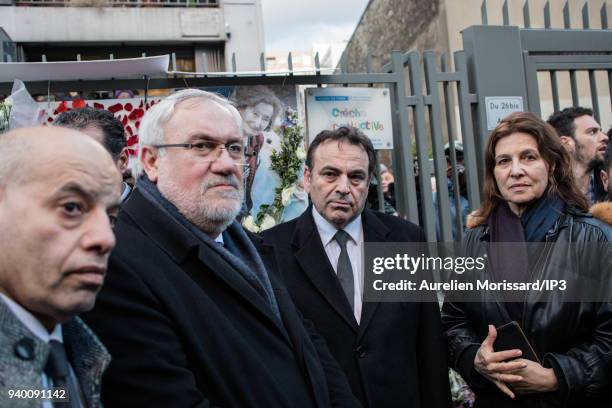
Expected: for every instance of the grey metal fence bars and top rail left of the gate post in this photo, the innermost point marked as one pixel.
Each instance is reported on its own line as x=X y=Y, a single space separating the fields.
x=424 y=121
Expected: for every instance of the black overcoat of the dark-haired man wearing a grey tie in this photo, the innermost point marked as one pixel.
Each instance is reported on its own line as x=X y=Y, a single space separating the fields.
x=396 y=357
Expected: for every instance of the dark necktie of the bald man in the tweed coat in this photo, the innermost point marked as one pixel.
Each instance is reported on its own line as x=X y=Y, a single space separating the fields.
x=57 y=370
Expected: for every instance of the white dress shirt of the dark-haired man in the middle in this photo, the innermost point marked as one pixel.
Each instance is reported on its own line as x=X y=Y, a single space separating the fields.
x=354 y=247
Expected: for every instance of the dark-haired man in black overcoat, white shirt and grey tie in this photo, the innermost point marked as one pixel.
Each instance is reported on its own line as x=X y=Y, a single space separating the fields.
x=392 y=353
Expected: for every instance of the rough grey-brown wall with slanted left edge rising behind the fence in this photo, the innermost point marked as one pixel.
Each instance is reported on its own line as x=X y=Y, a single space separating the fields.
x=403 y=25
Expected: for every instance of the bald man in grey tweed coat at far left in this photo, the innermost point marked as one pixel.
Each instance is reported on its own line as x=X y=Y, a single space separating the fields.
x=57 y=192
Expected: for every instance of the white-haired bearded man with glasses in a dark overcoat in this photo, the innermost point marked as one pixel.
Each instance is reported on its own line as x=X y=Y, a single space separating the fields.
x=189 y=311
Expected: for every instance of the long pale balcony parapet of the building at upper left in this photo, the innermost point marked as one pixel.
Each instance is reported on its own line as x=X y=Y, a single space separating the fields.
x=104 y=24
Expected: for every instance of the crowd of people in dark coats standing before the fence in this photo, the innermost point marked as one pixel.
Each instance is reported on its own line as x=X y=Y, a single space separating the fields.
x=154 y=295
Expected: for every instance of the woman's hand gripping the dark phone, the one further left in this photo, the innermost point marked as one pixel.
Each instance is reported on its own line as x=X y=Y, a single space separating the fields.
x=493 y=366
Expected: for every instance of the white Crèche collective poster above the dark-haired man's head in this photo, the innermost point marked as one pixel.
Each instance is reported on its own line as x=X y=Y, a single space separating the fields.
x=367 y=109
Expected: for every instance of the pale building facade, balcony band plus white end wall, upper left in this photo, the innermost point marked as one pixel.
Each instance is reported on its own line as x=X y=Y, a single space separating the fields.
x=237 y=24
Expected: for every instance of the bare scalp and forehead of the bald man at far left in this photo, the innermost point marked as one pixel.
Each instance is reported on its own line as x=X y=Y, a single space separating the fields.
x=25 y=152
